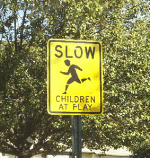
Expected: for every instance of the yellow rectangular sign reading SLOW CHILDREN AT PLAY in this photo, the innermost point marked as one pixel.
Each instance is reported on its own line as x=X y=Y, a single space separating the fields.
x=75 y=77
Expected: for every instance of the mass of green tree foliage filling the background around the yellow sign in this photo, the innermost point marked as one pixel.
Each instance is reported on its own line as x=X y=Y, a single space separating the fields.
x=123 y=28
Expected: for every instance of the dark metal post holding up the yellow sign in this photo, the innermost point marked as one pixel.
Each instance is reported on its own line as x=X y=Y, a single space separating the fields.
x=76 y=136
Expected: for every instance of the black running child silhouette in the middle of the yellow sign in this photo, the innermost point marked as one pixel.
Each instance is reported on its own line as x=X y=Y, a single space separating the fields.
x=72 y=71
